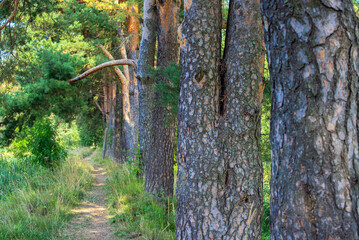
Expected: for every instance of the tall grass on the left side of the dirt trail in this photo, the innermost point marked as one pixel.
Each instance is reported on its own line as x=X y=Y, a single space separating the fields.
x=35 y=201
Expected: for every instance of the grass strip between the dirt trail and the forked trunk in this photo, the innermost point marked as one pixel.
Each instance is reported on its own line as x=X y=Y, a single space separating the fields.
x=136 y=214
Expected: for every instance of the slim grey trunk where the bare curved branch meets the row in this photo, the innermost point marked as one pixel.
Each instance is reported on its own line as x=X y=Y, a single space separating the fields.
x=146 y=92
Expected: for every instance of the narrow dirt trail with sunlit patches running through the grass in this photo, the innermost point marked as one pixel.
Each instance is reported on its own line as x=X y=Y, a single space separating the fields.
x=92 y=218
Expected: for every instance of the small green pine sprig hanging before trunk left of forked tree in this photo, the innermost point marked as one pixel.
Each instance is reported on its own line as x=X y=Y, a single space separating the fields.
x=168 y=89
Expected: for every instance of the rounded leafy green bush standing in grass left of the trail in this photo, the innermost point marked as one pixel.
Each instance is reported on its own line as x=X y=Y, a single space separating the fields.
x=40 y=142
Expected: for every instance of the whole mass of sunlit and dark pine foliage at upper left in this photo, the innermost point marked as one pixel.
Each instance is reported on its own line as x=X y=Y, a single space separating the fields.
x=69 y=32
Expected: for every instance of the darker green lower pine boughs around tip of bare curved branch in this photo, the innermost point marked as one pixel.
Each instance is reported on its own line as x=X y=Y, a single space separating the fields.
x=49 y=94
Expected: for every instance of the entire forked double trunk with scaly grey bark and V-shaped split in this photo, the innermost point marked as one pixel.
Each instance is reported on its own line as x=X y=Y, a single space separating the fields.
x=219 y=190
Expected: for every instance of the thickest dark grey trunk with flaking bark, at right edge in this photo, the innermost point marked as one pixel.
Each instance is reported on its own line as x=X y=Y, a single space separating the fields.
x=314 y=66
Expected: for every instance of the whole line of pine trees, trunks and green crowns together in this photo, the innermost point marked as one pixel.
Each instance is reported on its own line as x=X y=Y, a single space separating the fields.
x=312 y=52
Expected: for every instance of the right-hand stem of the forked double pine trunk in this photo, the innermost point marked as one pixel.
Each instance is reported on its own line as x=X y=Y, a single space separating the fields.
x=240 y=109
